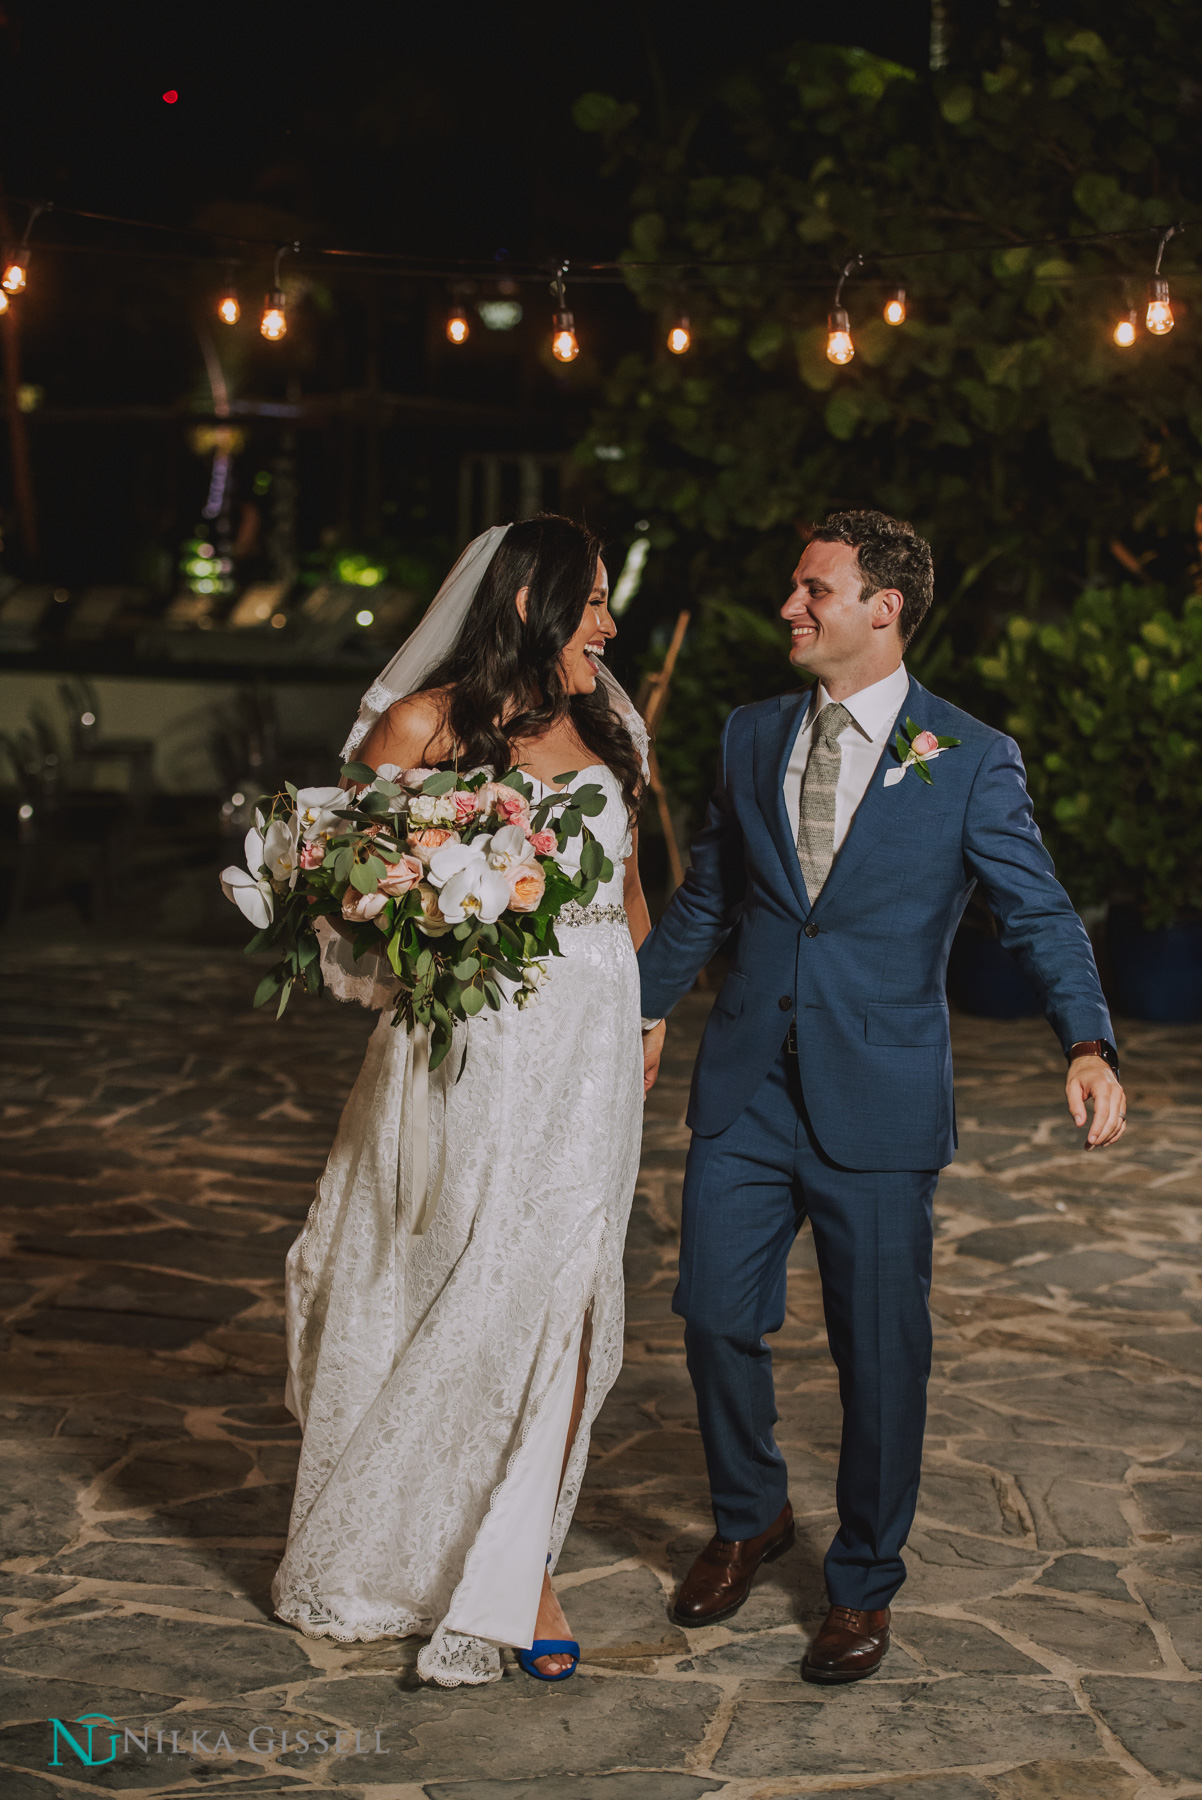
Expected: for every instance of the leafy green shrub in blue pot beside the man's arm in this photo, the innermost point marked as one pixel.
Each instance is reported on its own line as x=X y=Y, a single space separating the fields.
x=1108 y=710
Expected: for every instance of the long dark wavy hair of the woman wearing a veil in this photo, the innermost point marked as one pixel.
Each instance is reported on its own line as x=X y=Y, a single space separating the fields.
x=503 y=679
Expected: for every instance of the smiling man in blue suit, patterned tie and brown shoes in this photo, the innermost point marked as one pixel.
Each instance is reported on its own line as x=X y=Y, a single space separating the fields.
x=823 y=1088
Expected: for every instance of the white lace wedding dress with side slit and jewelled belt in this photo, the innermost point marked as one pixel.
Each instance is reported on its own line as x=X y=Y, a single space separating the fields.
x=435 y=1347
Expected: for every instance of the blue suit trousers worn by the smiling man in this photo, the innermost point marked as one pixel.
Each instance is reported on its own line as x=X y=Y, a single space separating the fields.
x=746 y=1196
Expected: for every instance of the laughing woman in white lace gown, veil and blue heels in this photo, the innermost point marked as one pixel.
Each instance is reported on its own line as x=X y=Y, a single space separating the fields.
x=451 y=1340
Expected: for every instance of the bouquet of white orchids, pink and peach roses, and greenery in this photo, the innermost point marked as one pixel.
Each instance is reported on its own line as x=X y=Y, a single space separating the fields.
x=456 y=879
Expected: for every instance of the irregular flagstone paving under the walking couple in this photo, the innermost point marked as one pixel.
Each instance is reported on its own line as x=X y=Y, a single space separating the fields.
x=161 y=1147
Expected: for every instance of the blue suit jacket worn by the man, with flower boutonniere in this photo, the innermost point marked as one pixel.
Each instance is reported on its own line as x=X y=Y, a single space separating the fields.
x=863 y=971
